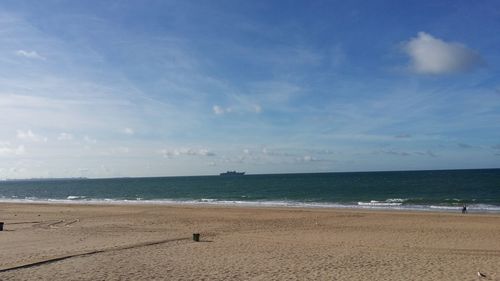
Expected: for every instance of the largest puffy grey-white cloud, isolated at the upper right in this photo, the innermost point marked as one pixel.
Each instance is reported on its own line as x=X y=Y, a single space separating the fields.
x=431 y=55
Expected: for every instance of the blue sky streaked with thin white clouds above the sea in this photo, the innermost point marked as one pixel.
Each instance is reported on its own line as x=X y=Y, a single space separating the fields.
x=165 y=88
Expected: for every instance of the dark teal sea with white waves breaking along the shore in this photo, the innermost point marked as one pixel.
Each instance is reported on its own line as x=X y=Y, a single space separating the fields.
x=439 y=190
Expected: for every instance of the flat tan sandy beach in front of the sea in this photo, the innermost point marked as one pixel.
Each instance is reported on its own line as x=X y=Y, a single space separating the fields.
x=144 y=242
